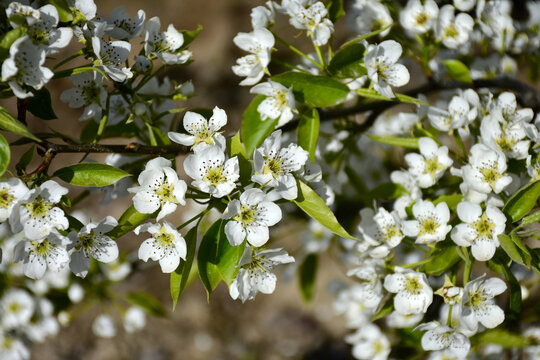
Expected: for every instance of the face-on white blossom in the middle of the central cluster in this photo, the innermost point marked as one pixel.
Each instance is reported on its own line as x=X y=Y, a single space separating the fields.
x=211 y=173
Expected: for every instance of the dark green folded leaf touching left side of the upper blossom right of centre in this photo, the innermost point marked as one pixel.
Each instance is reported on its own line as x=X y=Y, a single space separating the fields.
x=348 y=62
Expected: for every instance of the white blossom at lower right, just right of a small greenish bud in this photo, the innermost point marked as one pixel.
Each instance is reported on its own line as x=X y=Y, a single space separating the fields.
x=477 y=304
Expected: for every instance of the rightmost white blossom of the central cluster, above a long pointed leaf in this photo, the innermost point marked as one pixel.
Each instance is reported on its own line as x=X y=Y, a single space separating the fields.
x=273 y=165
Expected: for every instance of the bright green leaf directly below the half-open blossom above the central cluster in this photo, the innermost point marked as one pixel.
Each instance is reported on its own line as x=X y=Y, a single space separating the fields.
x=254 y=130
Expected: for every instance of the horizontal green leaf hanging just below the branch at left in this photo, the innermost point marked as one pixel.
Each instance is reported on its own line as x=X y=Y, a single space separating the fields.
x=90 y=174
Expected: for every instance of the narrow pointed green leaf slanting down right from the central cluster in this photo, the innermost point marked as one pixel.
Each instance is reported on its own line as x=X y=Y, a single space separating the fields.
x=315 y=207
